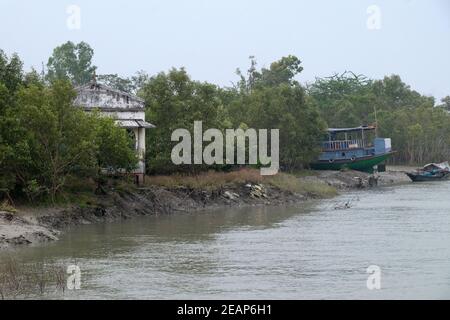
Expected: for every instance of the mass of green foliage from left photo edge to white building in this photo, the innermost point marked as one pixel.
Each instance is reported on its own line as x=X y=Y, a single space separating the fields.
x=44 y=139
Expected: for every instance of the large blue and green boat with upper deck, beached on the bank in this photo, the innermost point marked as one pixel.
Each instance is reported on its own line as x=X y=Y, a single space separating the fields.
x=353 y=148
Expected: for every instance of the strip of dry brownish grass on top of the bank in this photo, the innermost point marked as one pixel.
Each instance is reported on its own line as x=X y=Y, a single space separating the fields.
x=213 y=180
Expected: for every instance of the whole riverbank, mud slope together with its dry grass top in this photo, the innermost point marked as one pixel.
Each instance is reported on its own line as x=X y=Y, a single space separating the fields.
x=166 y=195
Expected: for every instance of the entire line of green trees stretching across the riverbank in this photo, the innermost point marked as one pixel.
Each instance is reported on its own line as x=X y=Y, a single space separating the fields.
x=44 y=141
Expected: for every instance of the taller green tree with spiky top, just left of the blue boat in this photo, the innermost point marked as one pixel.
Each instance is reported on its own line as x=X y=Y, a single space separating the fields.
x=273 y=99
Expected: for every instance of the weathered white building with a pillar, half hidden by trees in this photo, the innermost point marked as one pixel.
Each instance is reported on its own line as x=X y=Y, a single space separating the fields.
x=128 y=109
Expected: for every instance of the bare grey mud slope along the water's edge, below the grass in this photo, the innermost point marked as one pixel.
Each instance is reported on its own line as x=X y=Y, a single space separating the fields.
x=36 y=225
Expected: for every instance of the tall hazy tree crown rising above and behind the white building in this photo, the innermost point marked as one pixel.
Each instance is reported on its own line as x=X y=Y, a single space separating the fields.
x=73 y=62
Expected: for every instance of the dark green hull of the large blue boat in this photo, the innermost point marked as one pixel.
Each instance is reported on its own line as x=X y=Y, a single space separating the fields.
x=365 y=164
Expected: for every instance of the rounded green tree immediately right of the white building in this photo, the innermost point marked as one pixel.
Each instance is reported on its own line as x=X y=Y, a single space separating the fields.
x=175 y=101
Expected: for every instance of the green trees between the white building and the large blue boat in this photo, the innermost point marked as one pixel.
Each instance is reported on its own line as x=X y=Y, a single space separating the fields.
x=267 y=99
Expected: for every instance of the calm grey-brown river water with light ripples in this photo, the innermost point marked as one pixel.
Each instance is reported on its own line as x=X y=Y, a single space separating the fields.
x=314 y=251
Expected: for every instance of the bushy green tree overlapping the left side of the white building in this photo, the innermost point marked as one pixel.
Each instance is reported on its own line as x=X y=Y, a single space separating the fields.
x=61 y=140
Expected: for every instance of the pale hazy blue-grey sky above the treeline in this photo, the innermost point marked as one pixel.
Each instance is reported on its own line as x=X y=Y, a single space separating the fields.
x=211 y=38
